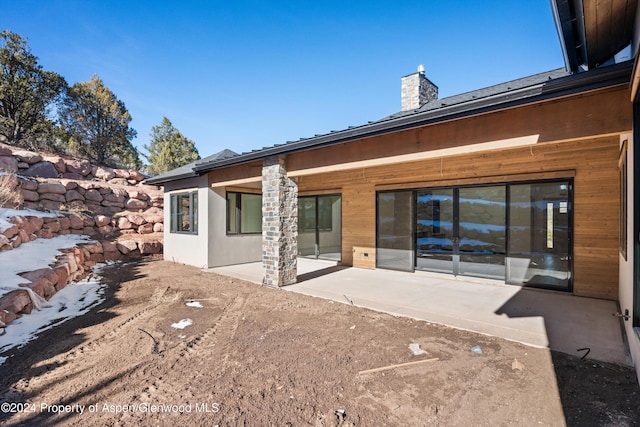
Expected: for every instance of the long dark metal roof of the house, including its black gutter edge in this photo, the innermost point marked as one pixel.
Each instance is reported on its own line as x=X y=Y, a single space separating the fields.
x=535 y=88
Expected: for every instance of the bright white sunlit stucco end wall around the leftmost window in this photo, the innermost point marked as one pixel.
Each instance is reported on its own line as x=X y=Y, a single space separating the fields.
x=191 y=249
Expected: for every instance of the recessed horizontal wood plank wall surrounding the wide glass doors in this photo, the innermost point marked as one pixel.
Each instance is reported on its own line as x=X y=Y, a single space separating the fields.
x=591 y=162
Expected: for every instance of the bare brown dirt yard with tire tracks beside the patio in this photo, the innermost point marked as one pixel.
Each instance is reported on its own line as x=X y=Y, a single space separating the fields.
x=258 y=356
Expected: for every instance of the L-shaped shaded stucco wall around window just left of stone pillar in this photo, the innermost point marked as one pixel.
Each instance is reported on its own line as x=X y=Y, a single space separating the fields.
x=228 y=249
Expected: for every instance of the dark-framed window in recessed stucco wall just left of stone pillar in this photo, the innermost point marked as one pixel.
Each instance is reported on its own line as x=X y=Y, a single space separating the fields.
x=244 y=213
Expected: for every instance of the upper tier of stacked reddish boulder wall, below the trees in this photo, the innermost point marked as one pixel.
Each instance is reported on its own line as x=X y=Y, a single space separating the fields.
x=101 y=202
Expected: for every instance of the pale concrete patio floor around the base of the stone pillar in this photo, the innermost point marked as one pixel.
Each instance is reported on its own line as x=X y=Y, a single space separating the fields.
x=540 y=318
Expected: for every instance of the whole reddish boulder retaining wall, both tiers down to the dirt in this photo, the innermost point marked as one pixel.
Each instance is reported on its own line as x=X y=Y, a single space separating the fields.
x=123 y=216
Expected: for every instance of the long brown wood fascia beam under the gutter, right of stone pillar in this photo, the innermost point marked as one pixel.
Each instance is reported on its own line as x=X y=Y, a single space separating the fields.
x=598 y=113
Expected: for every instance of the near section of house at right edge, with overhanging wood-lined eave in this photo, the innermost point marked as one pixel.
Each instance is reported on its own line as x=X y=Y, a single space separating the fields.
x=591 y=33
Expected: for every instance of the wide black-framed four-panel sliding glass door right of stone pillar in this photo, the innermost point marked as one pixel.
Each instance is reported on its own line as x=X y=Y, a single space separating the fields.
x=519 y=233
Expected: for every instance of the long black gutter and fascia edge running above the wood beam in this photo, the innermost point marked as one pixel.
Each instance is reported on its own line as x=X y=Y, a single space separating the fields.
x=570 y=85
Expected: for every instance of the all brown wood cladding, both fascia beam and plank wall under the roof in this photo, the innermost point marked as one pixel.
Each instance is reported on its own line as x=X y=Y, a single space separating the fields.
x=573 y=137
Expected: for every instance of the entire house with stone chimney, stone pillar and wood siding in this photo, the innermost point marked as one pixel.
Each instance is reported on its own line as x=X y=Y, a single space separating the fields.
x=529 y=182
